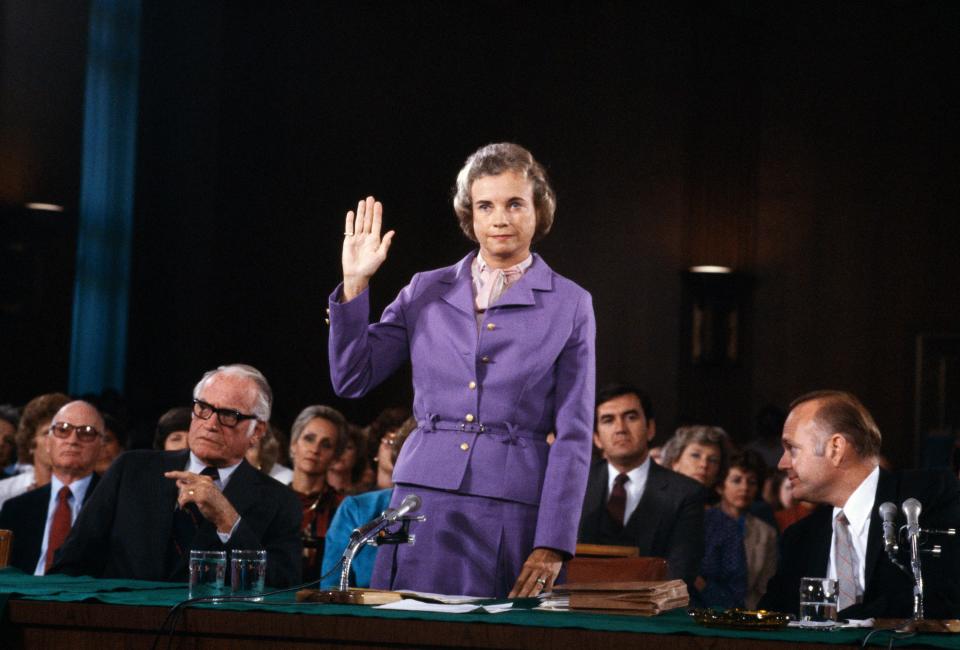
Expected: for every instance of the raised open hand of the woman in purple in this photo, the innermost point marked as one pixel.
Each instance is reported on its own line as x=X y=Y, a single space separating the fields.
x=363 y=248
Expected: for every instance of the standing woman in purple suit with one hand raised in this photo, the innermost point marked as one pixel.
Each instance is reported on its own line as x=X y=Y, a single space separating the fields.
x=502 y=350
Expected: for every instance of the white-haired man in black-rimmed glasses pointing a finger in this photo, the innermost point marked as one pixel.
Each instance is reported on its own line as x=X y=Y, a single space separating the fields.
x=153 y=507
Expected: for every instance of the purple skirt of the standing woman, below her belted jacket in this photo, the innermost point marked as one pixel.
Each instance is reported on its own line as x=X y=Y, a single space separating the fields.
x=469 y=545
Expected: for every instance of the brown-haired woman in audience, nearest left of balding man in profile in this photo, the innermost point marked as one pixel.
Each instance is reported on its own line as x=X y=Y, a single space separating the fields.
x=738 y=489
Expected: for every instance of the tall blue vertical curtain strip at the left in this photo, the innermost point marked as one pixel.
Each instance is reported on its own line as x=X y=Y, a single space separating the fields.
x=105 y=229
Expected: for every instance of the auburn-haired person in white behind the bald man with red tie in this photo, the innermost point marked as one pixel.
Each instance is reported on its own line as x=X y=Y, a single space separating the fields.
x=31 y=431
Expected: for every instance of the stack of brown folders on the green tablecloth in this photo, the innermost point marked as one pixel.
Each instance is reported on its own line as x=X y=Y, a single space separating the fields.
x=641 y=598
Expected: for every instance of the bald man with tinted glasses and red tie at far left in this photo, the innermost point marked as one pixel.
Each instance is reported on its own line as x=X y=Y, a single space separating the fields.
x=40 y=519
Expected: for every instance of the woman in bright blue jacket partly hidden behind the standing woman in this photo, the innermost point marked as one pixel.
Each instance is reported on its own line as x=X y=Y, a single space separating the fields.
x=358 y=510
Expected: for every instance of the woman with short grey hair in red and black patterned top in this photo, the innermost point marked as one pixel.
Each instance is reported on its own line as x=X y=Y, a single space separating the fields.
x=317 y=438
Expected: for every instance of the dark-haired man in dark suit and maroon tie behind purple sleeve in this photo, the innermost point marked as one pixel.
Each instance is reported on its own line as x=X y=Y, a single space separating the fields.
x=632 y=501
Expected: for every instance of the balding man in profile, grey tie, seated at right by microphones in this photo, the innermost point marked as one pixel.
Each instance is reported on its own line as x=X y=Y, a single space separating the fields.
x=831 y=451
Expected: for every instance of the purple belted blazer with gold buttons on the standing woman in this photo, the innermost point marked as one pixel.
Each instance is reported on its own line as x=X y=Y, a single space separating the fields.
x=485 y=402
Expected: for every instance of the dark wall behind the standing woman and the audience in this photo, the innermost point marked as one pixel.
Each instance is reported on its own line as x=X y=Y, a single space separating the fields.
x=811 y=146
